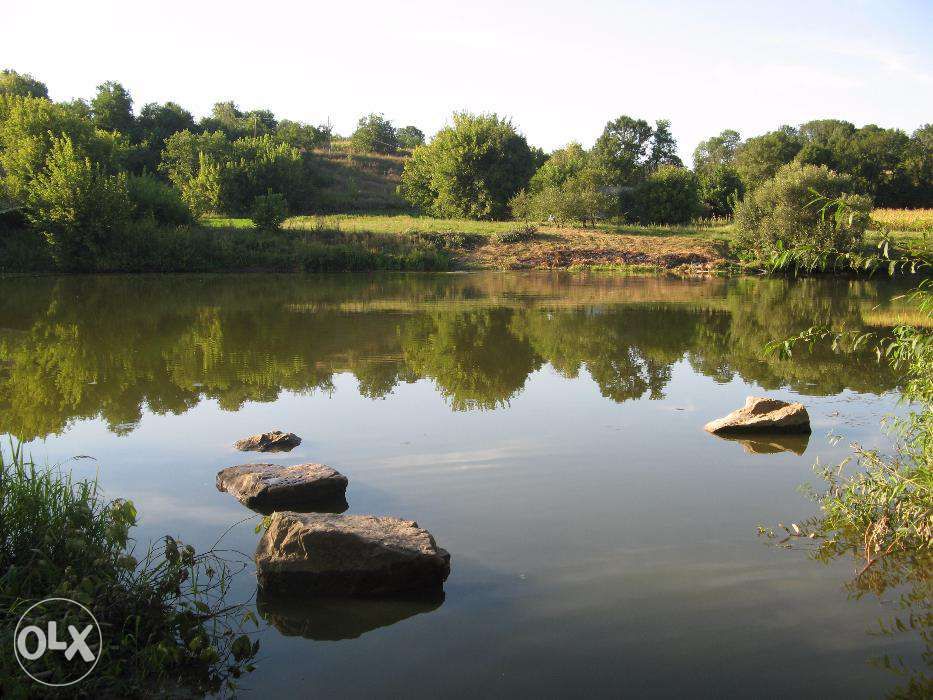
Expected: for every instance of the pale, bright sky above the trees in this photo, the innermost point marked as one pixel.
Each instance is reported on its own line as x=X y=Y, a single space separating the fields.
x=559 y=70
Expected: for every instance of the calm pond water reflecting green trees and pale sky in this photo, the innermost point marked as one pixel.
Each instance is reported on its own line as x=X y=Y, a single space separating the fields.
x=547 y=429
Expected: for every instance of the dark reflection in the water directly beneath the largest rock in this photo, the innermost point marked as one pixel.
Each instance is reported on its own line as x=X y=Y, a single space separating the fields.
x=334 y=619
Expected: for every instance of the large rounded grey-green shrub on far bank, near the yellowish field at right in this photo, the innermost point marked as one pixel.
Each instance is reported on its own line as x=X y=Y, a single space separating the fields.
x=782 y=213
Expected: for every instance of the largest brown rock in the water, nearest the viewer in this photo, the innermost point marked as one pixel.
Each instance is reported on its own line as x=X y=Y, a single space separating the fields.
x=350 y=555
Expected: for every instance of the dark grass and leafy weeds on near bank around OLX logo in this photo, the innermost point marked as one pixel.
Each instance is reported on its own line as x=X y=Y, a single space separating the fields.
x=162 y=616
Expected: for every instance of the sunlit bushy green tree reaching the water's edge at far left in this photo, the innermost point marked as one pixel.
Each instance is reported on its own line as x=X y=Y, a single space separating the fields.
x=78 y=207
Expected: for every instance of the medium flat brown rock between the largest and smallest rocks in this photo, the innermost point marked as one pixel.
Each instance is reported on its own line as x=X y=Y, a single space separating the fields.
x=268 y=486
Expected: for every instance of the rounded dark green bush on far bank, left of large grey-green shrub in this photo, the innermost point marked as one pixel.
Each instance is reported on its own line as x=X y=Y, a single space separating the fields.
x=669 y=195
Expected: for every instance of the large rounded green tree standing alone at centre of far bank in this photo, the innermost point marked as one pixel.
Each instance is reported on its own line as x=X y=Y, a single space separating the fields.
x=471 y=169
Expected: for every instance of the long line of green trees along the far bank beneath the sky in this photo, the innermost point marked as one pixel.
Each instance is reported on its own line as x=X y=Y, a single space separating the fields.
x=79 y=173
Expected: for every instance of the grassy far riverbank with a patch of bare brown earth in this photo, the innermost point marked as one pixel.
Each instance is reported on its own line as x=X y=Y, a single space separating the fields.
x=358 y=243
